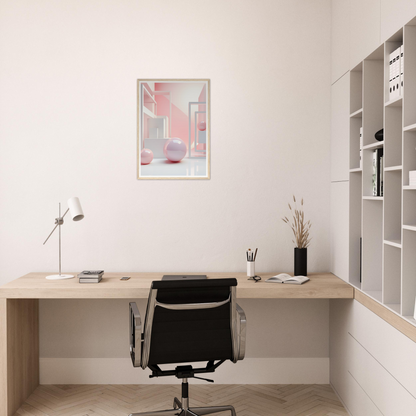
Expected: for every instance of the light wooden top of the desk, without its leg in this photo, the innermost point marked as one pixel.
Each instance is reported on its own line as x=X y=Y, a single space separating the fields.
x=35 y=286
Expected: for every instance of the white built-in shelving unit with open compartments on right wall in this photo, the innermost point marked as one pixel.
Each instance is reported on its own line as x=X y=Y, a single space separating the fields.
x=384 y=227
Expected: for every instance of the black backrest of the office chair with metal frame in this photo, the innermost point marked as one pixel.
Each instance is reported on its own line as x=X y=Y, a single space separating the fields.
x=190 y=321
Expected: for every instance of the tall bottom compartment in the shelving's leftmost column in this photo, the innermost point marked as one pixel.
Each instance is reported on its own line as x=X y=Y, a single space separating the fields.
x=355 y=215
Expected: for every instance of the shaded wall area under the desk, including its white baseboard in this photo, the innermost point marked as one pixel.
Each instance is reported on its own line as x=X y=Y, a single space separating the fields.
x=86 y=342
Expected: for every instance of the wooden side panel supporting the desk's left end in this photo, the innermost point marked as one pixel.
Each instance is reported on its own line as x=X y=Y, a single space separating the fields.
x=19 y=354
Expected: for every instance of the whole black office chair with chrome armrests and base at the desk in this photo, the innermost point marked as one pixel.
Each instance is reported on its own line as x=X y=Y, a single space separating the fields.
x=186 y=322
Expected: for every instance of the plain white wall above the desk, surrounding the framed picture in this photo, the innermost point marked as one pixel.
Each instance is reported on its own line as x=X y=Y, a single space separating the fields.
x=68 y=74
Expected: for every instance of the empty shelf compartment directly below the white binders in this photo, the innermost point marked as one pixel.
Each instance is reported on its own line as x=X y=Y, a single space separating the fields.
x=393 y=132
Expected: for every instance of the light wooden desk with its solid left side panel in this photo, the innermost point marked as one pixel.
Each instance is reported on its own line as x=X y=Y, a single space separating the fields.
x=19 y=315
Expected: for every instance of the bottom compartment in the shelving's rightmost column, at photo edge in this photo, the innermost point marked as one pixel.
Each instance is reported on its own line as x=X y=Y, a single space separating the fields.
x=409 y=272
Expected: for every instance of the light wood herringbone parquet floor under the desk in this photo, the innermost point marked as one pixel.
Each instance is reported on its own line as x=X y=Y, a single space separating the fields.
x=121 y=400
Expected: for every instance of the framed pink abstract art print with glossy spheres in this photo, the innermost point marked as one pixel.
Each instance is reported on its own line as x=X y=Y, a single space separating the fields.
x=173 y=129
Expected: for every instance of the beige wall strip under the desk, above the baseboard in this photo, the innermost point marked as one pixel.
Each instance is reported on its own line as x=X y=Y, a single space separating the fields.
x=99 y=328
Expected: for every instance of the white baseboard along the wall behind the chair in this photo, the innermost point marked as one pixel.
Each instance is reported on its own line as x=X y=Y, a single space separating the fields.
x=248 y=371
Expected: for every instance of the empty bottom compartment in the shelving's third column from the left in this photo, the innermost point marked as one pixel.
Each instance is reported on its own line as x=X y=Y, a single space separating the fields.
x=392 y=274
